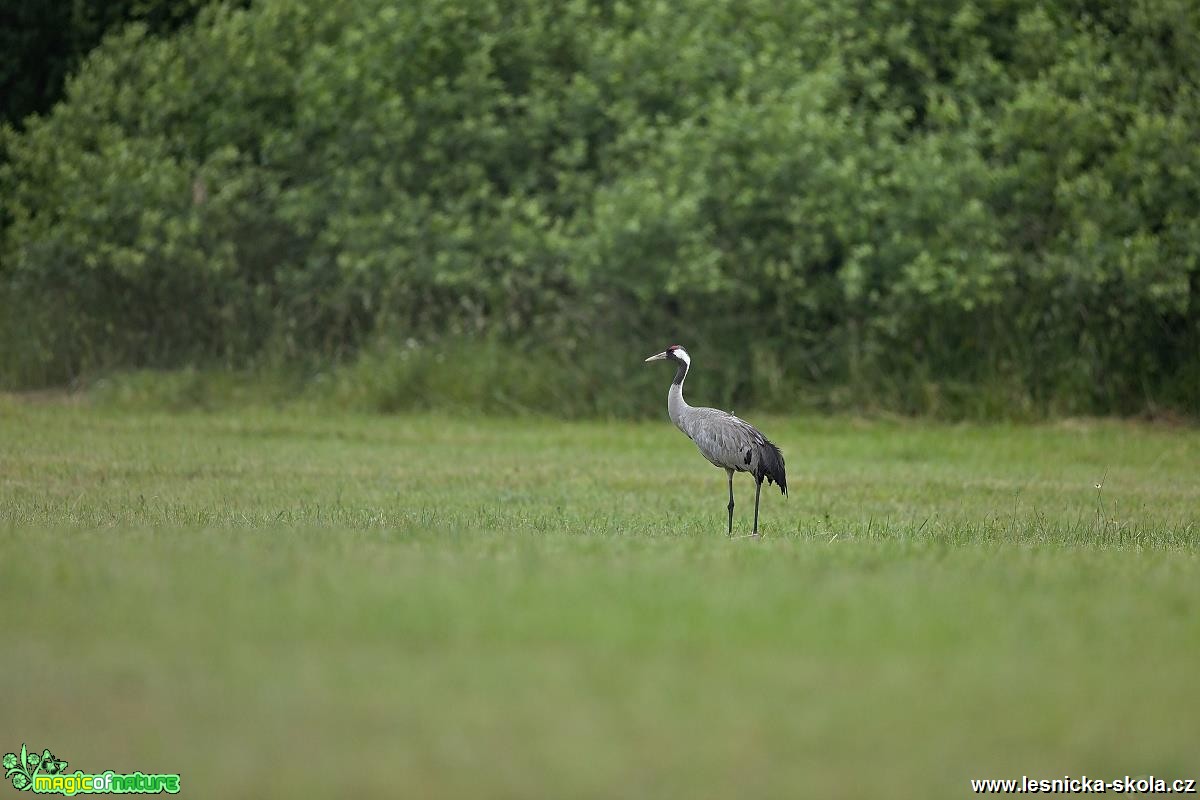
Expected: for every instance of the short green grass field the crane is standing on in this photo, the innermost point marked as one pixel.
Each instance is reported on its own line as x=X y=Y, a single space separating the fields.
x=286 y=604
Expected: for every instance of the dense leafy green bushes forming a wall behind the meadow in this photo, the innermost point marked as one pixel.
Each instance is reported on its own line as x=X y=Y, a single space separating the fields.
x=949 y=208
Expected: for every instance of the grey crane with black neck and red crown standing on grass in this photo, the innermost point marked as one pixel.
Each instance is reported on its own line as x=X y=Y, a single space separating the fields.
x=725 y=441
